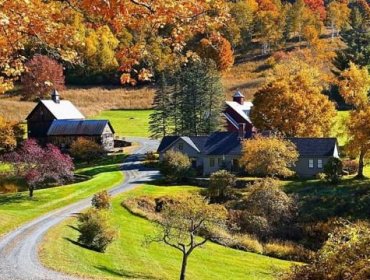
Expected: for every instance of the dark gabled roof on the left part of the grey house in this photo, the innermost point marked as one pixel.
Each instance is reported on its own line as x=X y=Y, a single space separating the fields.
x=218 y=143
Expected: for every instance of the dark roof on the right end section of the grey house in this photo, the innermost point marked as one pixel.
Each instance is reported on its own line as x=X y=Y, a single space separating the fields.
x=315 y=146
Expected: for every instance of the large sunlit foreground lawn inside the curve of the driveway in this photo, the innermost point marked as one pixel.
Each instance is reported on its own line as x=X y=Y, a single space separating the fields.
x=128 y=257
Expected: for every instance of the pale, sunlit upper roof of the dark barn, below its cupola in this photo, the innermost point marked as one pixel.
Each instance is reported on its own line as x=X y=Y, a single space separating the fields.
x=64 y=110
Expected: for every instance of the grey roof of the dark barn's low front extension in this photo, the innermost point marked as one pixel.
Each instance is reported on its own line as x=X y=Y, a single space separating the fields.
x=78 y=127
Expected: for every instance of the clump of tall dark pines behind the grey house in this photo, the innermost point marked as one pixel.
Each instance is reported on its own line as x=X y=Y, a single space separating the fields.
x=191 y=103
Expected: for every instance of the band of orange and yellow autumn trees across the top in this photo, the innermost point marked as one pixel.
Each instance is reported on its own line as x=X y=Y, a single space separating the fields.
x=130 y=42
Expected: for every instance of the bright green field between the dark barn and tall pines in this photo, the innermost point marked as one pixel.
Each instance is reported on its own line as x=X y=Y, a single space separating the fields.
x=128 y=122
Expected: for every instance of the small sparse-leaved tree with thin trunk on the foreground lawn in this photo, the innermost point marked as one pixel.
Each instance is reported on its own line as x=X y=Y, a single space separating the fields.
x=187 y=225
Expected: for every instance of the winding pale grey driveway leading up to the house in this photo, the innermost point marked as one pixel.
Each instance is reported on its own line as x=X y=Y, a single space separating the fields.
x=18 y=249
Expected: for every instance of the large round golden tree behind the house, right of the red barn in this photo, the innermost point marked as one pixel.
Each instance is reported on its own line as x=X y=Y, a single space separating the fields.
x=291 y=101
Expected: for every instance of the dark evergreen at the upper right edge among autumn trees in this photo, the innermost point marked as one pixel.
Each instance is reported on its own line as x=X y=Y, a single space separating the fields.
x=357 y=39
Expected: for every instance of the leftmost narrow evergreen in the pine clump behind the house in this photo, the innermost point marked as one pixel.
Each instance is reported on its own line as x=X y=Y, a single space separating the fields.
x=159 y=123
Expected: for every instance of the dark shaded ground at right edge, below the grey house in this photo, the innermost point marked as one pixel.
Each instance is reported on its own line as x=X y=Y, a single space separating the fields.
x=318 y=201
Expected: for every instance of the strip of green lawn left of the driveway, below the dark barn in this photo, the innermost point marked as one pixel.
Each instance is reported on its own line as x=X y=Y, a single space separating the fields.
x=18 y=208
